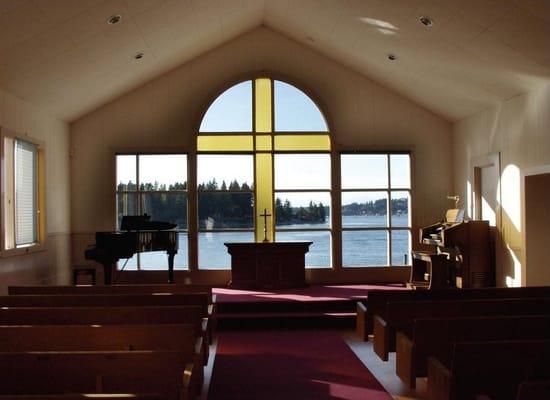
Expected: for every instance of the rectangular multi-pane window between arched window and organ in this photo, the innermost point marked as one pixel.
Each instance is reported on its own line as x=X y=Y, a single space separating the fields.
x=391 y=186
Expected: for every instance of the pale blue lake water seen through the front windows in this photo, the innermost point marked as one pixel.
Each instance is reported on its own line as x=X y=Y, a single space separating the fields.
x=359 y=248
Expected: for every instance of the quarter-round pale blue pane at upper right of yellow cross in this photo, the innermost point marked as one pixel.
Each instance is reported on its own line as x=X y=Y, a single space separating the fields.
x=295 y=111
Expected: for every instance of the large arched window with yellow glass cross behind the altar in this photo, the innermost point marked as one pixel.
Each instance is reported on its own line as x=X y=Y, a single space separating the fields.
x=263 y=147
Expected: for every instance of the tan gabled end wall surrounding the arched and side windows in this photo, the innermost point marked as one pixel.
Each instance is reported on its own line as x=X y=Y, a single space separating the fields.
x=165 y=113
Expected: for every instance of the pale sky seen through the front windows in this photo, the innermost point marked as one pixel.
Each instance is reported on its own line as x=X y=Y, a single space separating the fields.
x=294 y=111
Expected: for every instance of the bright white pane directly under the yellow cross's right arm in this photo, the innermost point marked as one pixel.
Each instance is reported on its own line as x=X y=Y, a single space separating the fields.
x=302 y=171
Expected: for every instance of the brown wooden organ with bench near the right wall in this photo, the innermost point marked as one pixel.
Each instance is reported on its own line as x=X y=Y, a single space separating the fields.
x=461 y=255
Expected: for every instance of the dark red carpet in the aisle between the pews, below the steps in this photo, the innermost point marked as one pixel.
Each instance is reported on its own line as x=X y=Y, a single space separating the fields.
x=290 y=365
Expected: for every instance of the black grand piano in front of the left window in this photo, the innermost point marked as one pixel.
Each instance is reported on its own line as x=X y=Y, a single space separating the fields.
x=138 y=234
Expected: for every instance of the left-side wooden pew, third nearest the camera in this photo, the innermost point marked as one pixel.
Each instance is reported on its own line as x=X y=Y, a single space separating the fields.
x=112 y=316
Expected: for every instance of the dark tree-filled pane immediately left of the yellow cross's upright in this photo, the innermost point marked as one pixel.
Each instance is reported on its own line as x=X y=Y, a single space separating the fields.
x=219 y=210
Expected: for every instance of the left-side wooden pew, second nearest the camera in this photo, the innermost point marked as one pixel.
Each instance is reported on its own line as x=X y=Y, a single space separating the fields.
x=184 y=338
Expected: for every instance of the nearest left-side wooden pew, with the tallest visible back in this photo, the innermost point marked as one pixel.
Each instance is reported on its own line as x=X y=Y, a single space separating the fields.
x=165 y=372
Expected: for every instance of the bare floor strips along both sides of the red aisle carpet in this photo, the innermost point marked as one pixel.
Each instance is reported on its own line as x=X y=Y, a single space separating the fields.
x=384 y=371
